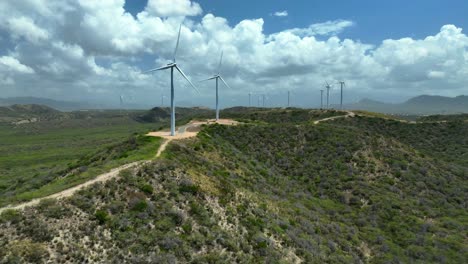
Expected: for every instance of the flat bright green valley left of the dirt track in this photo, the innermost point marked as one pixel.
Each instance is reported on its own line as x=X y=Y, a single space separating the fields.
x=53 y=154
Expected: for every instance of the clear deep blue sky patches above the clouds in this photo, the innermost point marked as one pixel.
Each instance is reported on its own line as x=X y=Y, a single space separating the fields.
x=375 y=20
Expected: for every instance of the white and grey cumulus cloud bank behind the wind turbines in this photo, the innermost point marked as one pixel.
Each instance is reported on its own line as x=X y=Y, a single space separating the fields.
x=83 y=49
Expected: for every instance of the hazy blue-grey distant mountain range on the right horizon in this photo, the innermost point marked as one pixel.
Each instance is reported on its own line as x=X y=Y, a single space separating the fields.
x=420 y=105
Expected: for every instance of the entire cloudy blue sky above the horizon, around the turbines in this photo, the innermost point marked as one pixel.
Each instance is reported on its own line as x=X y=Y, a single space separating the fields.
x=97 y=51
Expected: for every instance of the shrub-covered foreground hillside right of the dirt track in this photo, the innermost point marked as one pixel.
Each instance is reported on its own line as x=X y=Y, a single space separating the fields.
x=351 y=190
